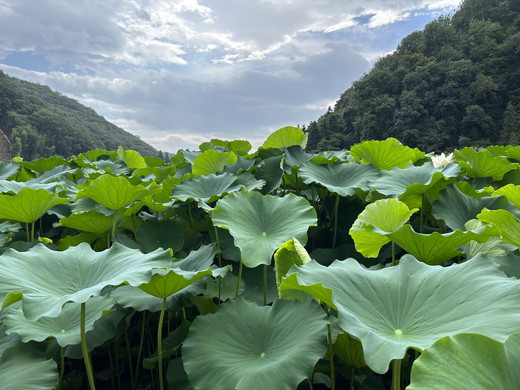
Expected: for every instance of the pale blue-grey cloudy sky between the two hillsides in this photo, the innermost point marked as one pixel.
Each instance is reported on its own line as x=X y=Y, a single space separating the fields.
x=178 y=73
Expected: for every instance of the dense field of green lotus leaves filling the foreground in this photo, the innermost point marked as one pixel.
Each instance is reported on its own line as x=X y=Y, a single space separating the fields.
x=379 y=267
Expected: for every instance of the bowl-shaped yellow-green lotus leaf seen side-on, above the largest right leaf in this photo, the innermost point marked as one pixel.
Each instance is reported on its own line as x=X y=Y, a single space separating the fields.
x=435 y=248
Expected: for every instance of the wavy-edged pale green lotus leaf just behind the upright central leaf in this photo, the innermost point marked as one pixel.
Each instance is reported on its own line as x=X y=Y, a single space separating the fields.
x=212 y=187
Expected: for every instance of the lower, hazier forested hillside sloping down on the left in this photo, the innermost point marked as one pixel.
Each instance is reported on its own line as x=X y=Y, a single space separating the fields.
x=40 y=122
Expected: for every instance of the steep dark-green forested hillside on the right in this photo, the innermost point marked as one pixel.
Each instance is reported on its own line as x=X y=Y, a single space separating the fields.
x=454 y=84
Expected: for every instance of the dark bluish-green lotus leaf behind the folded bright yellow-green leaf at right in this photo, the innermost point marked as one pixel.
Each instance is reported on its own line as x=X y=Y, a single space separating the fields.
x=456 y=208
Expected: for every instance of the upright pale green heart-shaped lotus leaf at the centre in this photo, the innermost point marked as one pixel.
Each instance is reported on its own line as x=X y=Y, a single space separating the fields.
x=260 y=224
